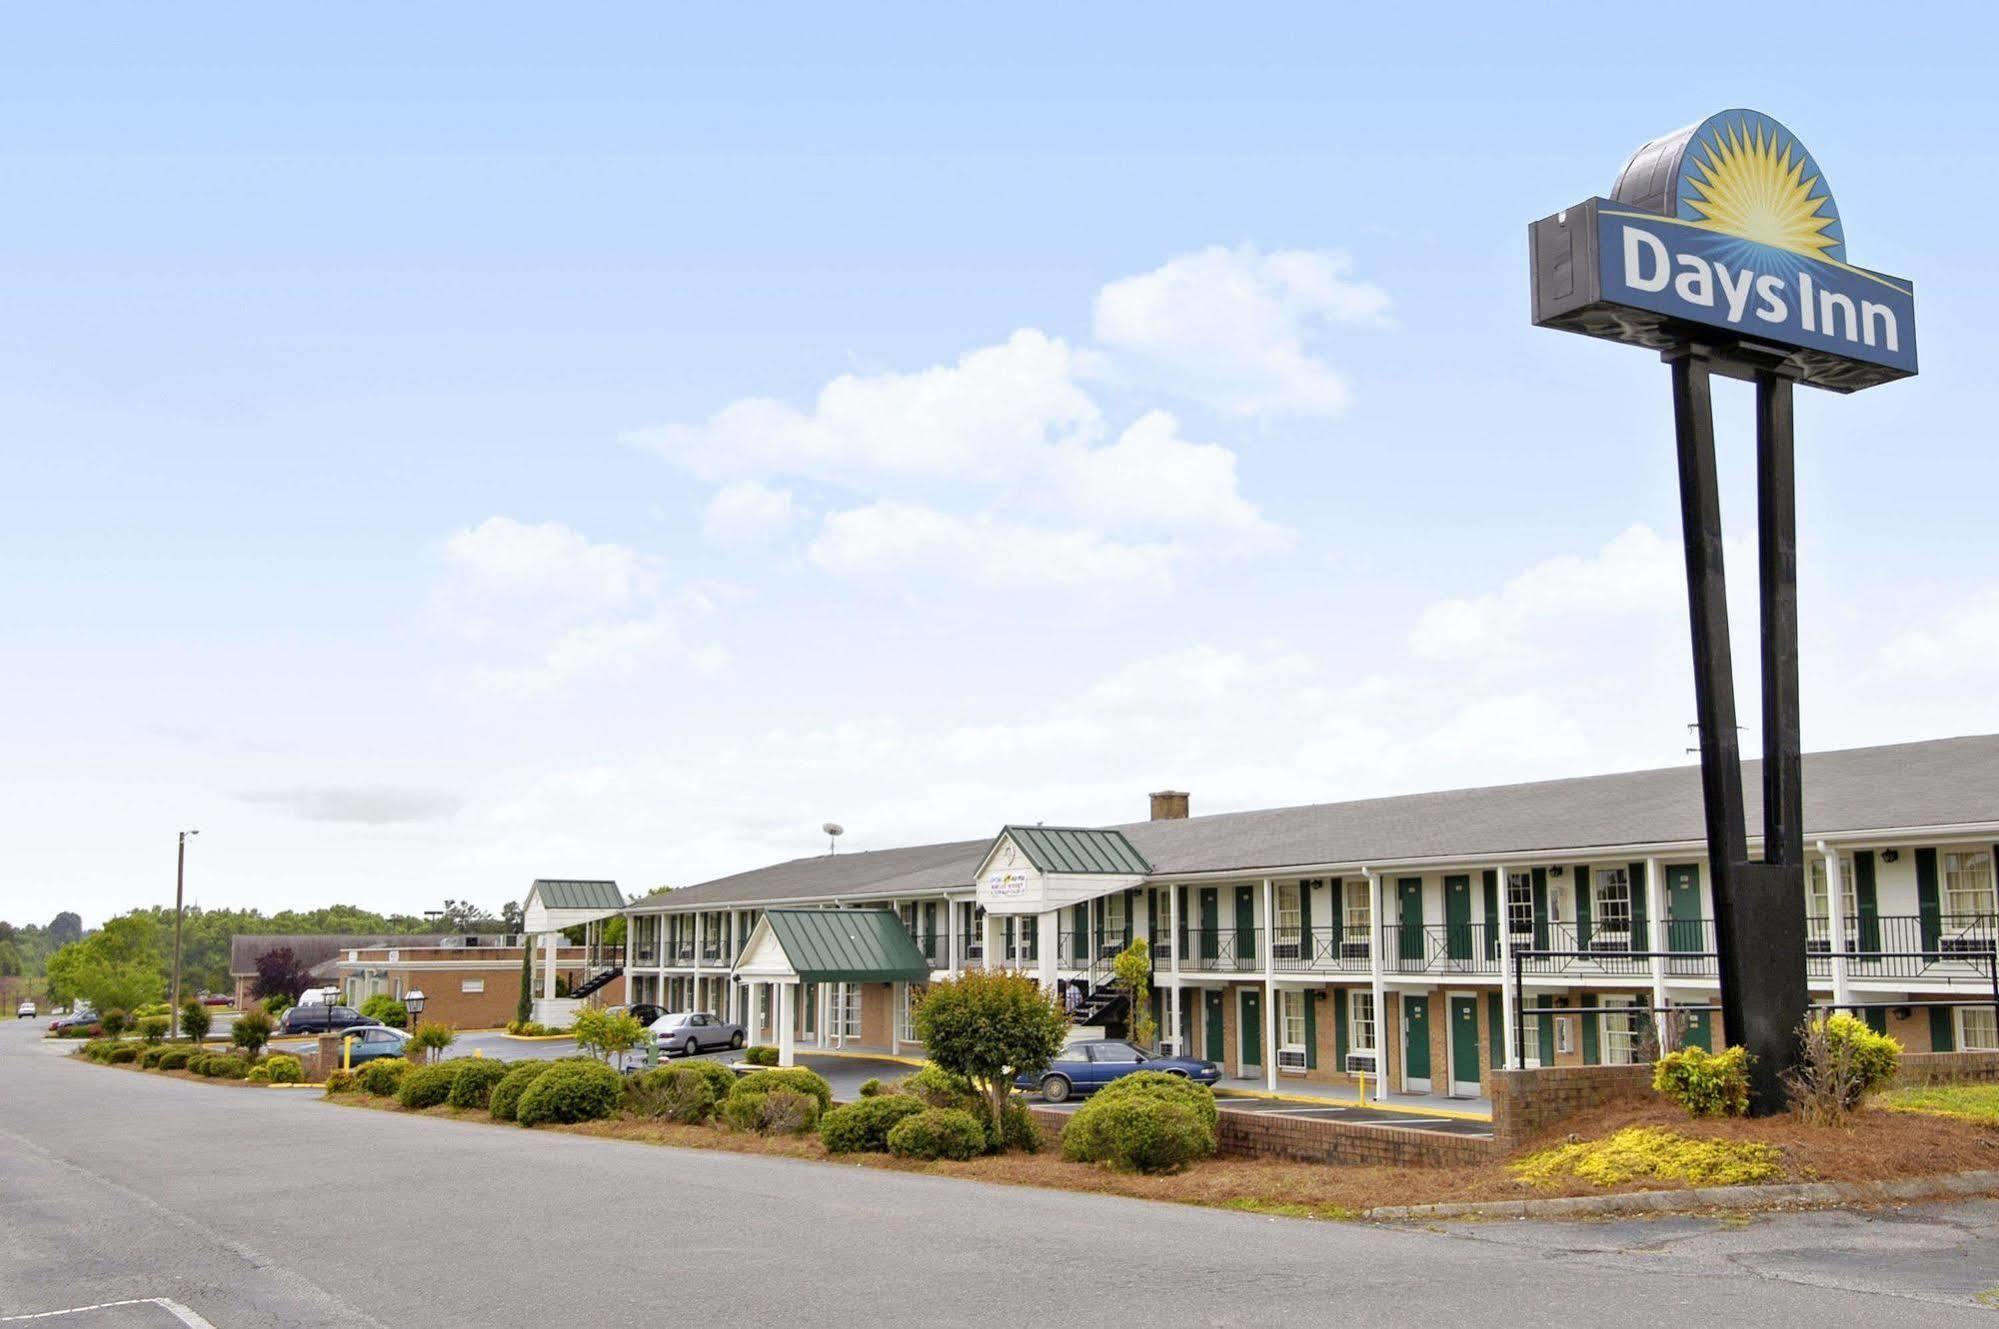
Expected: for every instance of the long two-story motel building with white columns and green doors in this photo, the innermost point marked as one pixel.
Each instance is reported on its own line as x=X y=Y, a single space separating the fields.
x=1382 y=934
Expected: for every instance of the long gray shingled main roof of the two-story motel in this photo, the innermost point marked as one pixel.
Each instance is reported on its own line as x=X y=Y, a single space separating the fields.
x=1942 y=782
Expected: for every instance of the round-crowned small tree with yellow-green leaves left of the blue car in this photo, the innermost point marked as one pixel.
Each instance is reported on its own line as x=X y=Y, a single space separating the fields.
x=991 y=1028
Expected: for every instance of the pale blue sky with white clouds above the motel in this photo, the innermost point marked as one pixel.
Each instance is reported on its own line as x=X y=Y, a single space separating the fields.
x=459 y=447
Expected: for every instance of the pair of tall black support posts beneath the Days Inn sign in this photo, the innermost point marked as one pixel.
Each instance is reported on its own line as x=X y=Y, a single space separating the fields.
x=1760 y=908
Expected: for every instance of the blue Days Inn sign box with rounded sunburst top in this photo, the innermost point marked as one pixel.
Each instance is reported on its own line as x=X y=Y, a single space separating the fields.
x=1726 y=235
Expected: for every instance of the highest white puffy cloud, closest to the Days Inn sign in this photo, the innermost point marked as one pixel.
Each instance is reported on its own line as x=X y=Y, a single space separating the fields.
x=1236 y=329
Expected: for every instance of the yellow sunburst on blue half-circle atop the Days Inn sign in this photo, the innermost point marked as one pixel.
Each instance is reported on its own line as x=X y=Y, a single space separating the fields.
x=1748 y=177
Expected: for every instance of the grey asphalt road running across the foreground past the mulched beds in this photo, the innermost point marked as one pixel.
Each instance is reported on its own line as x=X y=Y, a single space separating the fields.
x=273 y=1208
